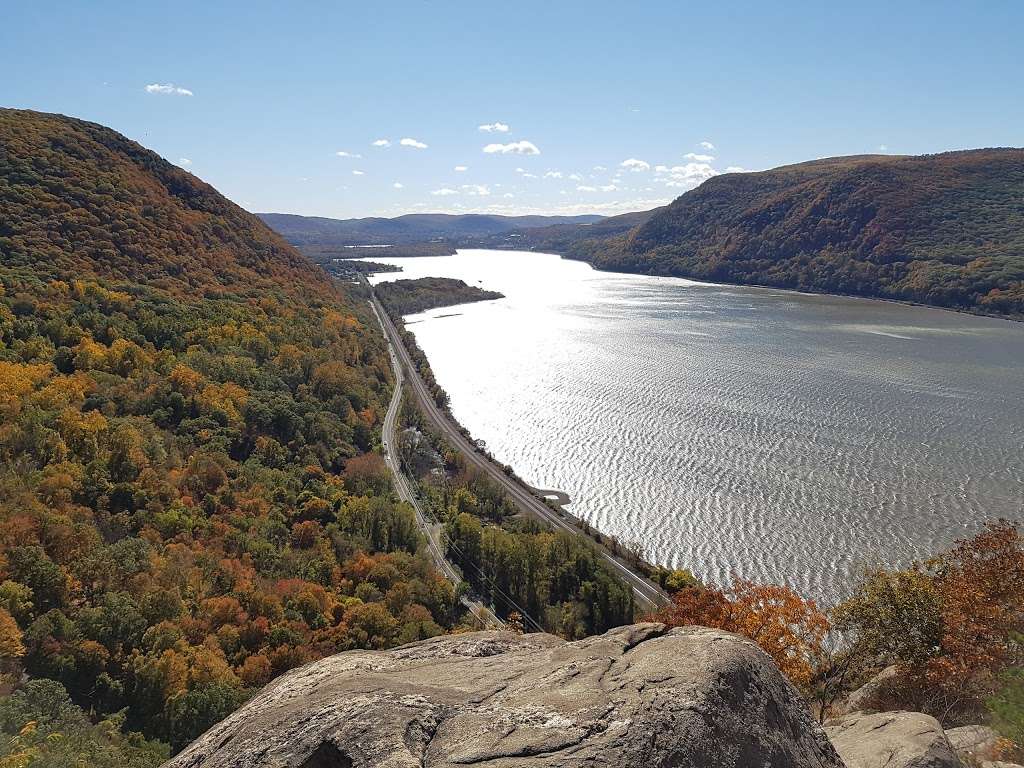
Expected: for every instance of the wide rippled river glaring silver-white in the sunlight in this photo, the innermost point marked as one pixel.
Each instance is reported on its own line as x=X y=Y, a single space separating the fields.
x=785 y=438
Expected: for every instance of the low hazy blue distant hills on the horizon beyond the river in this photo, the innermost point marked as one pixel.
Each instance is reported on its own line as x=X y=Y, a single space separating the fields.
x=415 y=228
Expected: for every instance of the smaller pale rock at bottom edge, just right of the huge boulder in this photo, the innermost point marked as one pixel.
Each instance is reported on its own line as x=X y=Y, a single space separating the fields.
x=892 y=740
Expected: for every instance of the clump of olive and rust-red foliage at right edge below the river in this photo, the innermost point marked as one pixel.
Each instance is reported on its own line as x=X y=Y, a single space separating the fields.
x=952 y=625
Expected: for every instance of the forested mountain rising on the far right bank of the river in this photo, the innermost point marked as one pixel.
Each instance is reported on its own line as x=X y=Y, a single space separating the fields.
x=945 y=230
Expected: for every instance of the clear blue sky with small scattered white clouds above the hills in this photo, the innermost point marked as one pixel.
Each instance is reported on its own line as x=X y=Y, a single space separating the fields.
x=345 y=110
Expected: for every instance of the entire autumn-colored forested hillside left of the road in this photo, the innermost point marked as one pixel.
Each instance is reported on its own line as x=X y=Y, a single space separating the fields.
x=189 y=505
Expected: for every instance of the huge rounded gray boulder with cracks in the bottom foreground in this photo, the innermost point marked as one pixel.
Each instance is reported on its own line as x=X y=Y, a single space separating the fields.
x=641 y=696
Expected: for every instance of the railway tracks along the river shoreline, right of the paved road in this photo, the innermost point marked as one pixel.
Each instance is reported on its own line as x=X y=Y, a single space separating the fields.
x=646 y=591
